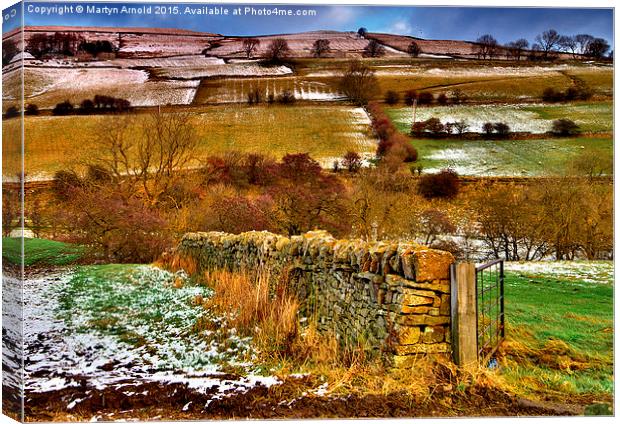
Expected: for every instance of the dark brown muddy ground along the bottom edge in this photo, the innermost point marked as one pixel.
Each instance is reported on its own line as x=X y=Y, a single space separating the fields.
x=151 y=401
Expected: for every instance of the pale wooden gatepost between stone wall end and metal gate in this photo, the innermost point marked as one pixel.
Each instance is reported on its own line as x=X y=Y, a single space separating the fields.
x=464 y=314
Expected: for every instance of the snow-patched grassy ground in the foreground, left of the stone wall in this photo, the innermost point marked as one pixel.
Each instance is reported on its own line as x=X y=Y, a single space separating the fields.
x=69 y=342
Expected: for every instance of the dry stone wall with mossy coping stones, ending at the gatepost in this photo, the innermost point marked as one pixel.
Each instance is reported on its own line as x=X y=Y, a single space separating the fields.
x=393 y=296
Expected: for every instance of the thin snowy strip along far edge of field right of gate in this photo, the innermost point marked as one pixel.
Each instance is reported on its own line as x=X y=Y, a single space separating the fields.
x=600 y=272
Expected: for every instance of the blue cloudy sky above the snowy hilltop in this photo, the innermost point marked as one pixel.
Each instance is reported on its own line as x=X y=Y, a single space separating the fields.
x=450 y=22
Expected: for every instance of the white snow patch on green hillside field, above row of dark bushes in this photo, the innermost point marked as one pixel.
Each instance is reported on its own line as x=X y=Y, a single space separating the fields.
x=515 y=115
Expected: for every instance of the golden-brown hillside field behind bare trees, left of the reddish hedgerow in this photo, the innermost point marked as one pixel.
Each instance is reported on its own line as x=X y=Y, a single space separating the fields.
x=322 y=131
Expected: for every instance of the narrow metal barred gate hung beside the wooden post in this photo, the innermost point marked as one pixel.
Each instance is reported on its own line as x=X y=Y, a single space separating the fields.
x=490 y=326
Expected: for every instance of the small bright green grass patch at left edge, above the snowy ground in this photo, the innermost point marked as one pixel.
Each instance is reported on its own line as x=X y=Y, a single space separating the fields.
x=40 y=252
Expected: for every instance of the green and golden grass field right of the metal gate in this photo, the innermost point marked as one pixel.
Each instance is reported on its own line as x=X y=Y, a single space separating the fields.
x=559 y=329
